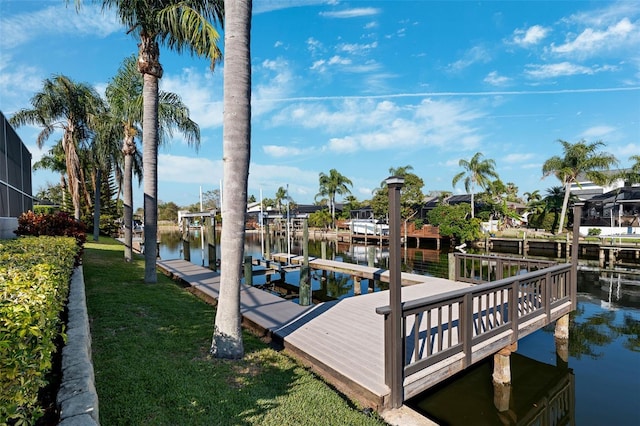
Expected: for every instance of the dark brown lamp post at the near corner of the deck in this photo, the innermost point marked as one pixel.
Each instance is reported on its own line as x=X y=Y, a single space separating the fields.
x=394 y=346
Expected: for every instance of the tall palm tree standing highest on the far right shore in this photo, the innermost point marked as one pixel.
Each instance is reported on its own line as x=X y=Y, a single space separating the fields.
x=579 y=159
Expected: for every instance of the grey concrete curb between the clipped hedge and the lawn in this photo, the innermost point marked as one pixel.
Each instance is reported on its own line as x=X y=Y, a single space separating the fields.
x=77 y=397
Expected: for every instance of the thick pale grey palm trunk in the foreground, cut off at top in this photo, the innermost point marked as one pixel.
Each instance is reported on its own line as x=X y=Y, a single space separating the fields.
x=227 y=334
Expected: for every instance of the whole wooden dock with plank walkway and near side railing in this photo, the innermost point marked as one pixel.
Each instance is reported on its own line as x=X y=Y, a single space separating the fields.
x=447 y=325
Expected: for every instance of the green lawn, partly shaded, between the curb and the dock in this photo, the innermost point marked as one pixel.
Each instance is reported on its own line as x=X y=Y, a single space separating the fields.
x=150 y=347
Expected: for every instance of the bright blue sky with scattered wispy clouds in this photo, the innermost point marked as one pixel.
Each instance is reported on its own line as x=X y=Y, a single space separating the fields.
x=362 y=86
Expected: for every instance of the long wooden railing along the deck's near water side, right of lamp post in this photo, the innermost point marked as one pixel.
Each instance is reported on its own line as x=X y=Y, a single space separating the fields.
x=462 y=327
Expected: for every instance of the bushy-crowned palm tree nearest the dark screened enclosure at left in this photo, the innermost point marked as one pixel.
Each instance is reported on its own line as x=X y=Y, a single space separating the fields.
x=65 y=105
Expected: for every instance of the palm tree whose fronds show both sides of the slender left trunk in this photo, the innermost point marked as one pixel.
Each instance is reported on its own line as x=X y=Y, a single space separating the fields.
x=124 y=95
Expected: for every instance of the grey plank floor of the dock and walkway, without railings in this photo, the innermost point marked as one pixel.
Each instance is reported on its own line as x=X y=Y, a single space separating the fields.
x=342 y=340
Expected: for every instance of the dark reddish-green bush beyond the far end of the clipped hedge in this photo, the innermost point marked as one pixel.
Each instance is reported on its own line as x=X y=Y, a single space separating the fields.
x=60 y=224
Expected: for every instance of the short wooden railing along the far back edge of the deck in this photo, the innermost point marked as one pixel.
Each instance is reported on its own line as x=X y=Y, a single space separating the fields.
x=477 y=269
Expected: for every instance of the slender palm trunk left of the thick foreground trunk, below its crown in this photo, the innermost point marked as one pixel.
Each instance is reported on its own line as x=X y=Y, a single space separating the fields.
x=150 y=175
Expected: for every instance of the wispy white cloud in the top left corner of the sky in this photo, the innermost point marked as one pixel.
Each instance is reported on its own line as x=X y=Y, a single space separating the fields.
x=24 y=27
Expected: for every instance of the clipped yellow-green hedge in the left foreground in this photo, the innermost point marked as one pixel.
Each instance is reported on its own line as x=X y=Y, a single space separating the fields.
x=34 y=284
